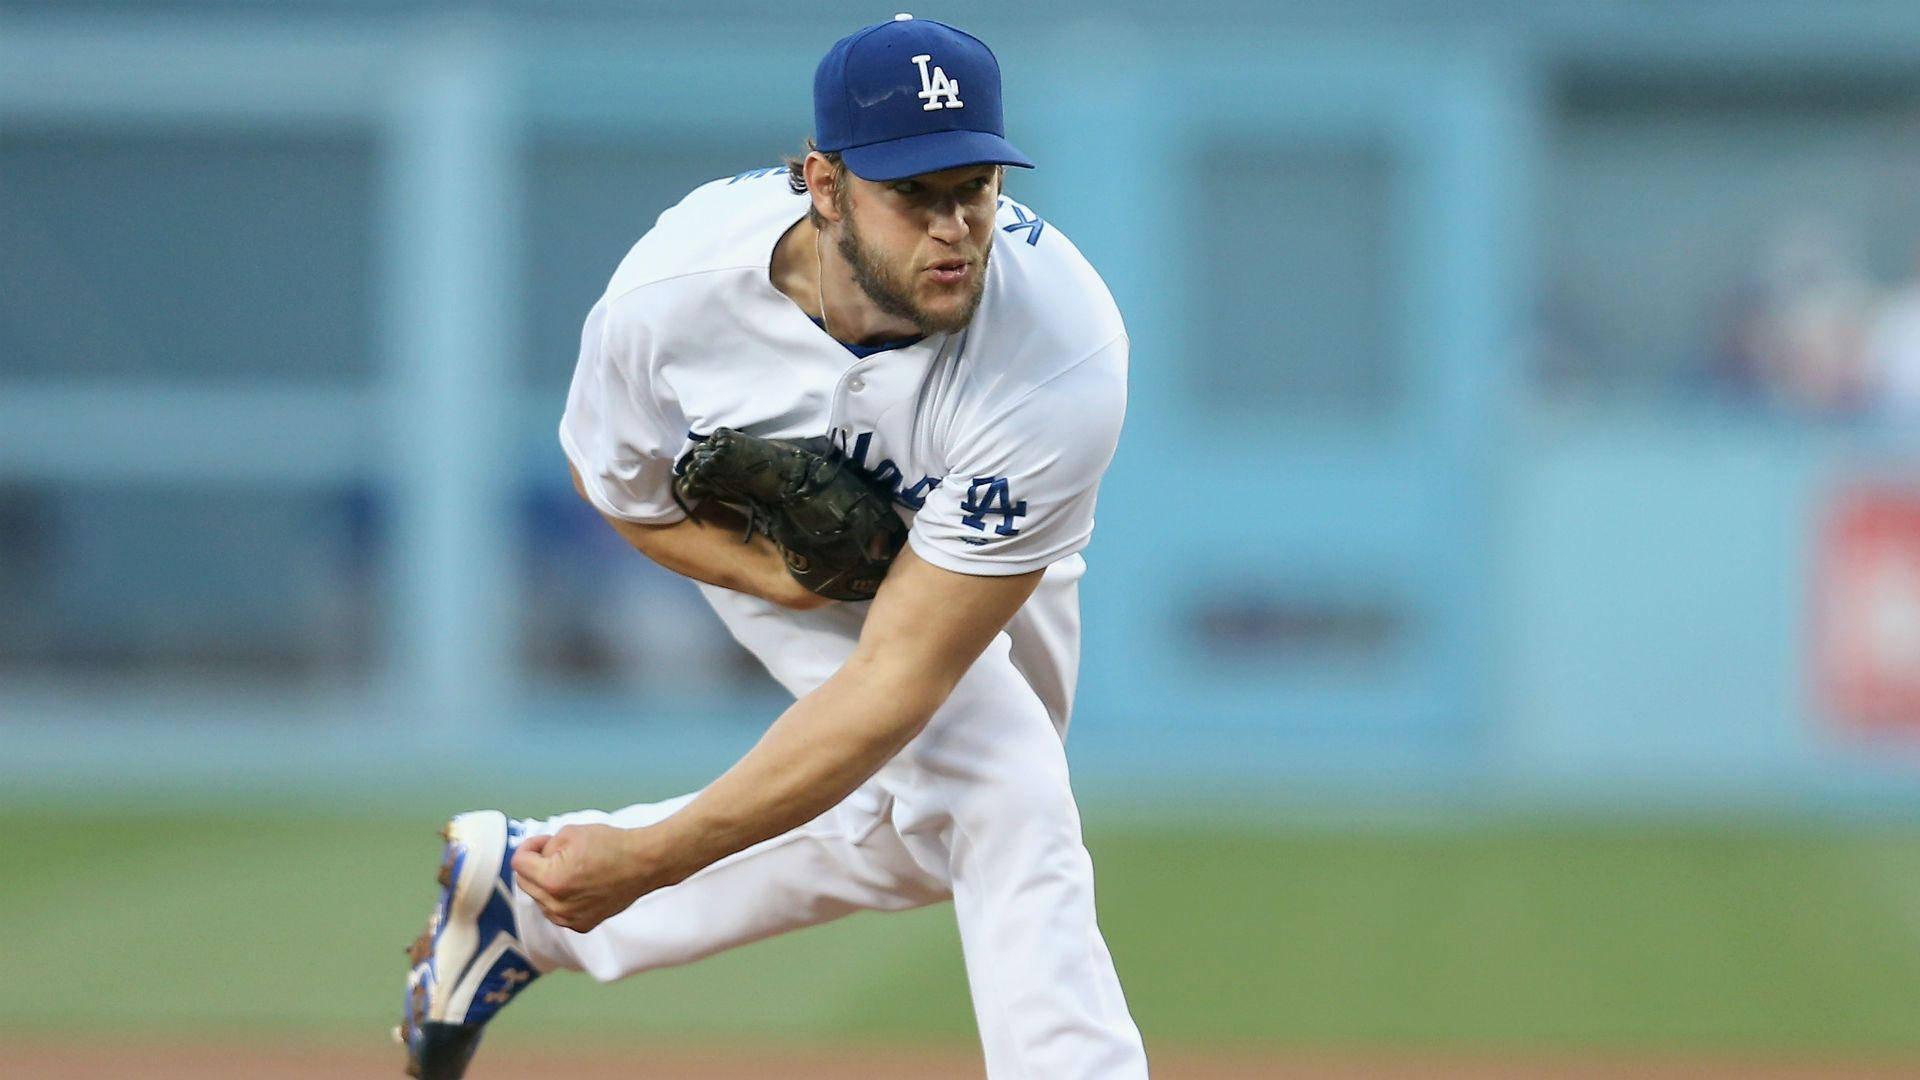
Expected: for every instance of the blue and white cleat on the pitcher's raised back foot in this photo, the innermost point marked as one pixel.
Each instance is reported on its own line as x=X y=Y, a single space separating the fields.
x=471 y=960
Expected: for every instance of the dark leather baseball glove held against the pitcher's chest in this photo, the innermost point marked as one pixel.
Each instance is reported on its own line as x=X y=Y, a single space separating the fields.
x=832 y=524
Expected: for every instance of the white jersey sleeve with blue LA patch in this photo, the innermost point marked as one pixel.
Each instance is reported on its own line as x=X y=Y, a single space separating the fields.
x=1022 y=485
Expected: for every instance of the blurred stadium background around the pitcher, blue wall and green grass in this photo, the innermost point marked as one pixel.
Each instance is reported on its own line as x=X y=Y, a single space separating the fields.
x=1502 y=635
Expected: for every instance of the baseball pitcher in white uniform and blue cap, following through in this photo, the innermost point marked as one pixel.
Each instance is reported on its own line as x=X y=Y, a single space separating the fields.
x=900 y=389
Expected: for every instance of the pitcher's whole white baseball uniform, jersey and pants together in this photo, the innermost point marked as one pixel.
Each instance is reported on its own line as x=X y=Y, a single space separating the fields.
x=994 y=441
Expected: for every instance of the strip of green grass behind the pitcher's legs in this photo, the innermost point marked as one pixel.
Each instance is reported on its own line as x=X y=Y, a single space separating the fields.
x=1497 y=937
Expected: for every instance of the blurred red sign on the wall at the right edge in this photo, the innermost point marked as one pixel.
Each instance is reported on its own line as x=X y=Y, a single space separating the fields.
x=1869 y=610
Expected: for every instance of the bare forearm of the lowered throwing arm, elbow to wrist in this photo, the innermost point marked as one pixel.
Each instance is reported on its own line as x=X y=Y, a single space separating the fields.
x=823 y=749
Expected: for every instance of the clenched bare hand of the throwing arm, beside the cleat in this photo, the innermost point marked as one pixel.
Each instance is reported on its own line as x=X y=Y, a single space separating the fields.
x=585 y=873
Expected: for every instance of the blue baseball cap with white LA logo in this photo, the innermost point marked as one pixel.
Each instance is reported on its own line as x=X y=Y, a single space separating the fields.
x=911 y=97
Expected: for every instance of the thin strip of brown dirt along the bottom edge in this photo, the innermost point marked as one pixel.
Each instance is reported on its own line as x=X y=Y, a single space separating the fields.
x=256 y=1064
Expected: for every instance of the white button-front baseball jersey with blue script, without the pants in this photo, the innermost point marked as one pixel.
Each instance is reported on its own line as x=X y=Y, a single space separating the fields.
x=992 y=439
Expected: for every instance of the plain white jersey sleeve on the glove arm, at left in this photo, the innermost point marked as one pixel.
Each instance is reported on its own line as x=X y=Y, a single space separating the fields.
x=617 y=433
